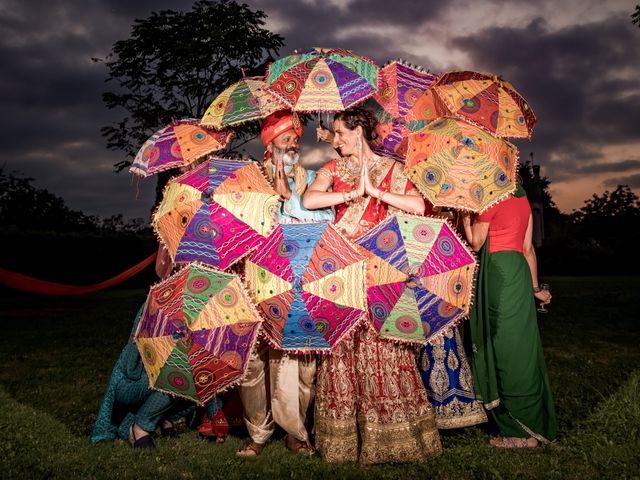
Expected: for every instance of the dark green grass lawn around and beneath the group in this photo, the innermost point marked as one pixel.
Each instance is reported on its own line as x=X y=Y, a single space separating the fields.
x=57 y=354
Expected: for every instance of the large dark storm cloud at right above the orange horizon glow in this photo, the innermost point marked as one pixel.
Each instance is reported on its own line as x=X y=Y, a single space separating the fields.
x=580 y=80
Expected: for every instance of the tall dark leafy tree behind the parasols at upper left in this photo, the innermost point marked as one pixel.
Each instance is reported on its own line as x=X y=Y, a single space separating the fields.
x=175 y=63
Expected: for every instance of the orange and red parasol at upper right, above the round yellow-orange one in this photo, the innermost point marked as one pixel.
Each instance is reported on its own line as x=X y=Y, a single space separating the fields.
x=487 y=101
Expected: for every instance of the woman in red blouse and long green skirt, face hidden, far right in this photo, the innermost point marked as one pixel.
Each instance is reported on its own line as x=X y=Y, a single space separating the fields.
x=508 y=365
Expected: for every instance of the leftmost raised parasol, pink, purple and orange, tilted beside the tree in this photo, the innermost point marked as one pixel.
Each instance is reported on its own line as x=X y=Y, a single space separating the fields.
x=178 y=144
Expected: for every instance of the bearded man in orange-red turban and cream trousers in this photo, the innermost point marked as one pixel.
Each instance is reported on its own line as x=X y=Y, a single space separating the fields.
x=279 y=387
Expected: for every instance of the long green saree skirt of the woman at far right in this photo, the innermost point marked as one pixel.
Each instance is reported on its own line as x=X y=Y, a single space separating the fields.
x=508 y=363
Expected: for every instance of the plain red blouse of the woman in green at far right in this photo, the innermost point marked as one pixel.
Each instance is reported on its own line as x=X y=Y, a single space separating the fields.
x=508 y=222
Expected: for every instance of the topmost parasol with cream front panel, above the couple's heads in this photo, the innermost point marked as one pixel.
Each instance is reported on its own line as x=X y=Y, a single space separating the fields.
x=322 y=80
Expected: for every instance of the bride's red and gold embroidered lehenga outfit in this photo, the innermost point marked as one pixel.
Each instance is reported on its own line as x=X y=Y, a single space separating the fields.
x=371 y=405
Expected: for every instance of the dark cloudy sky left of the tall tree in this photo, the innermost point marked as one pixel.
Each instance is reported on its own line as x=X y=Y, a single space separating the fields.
x=50 y=91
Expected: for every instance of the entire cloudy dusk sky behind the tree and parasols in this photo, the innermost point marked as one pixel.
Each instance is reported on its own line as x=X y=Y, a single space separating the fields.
x=577 y=62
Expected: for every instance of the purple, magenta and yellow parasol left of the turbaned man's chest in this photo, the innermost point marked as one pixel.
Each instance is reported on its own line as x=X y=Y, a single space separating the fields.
x=217 y=213
